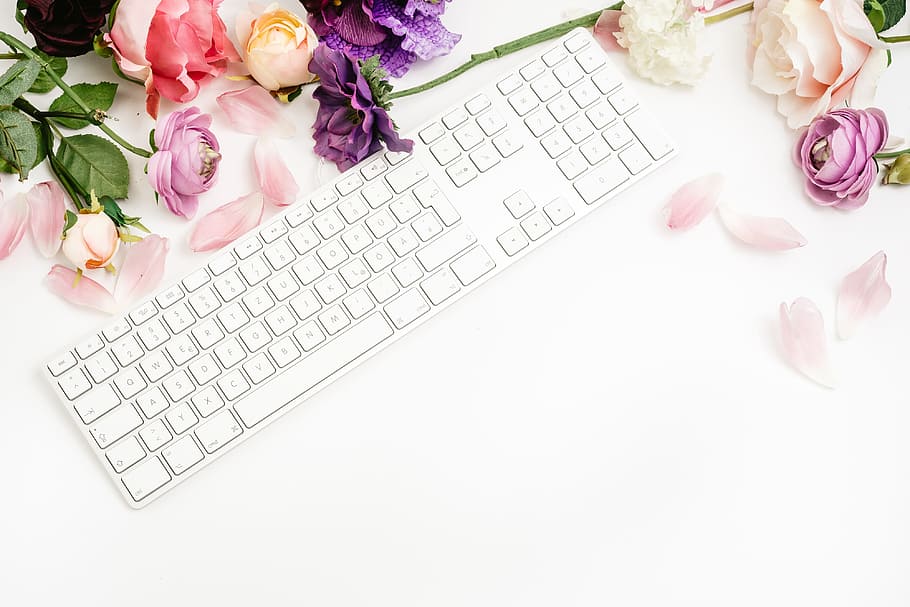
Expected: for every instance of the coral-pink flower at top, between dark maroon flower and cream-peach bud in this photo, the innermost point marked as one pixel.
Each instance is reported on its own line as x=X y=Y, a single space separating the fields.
x=173 y=46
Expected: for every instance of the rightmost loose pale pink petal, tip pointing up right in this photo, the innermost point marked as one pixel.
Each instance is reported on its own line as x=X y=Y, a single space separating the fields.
x=863 y=294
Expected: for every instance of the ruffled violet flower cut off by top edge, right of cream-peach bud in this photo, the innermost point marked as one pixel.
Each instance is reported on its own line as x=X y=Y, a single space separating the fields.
x=399 y=31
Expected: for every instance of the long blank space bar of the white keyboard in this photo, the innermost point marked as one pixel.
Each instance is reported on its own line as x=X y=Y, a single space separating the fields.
x=319 y=365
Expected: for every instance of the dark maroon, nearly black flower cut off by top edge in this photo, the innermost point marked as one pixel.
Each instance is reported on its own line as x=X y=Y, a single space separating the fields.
x=65 y=28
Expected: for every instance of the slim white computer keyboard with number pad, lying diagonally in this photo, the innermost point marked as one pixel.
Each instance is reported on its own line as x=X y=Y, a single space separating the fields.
x=208 y=362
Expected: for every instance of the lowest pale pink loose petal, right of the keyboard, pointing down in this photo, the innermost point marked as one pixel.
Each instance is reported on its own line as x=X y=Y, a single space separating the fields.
x=802 y=330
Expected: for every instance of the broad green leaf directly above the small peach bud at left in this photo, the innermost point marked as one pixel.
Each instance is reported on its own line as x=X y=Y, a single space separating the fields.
x=96 y=163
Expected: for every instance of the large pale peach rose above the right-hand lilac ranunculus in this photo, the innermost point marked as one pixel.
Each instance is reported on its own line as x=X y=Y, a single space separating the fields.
x=814 y=56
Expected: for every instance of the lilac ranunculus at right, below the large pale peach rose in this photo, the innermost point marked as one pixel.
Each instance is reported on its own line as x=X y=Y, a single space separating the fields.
x=837 y=154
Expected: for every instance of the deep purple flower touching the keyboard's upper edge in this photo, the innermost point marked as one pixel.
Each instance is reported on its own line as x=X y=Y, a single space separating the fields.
x=352 y=121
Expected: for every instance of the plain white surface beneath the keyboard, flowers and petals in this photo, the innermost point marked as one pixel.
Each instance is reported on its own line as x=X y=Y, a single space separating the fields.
x=608 y=423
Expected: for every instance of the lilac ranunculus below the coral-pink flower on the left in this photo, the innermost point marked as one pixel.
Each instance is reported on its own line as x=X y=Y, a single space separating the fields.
x=186 y=160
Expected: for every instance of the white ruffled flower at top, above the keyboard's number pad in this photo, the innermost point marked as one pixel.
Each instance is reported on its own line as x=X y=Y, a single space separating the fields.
x=664 y=40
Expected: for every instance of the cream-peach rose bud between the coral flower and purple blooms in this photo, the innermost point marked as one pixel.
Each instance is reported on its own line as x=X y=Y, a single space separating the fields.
x=277 y=46
